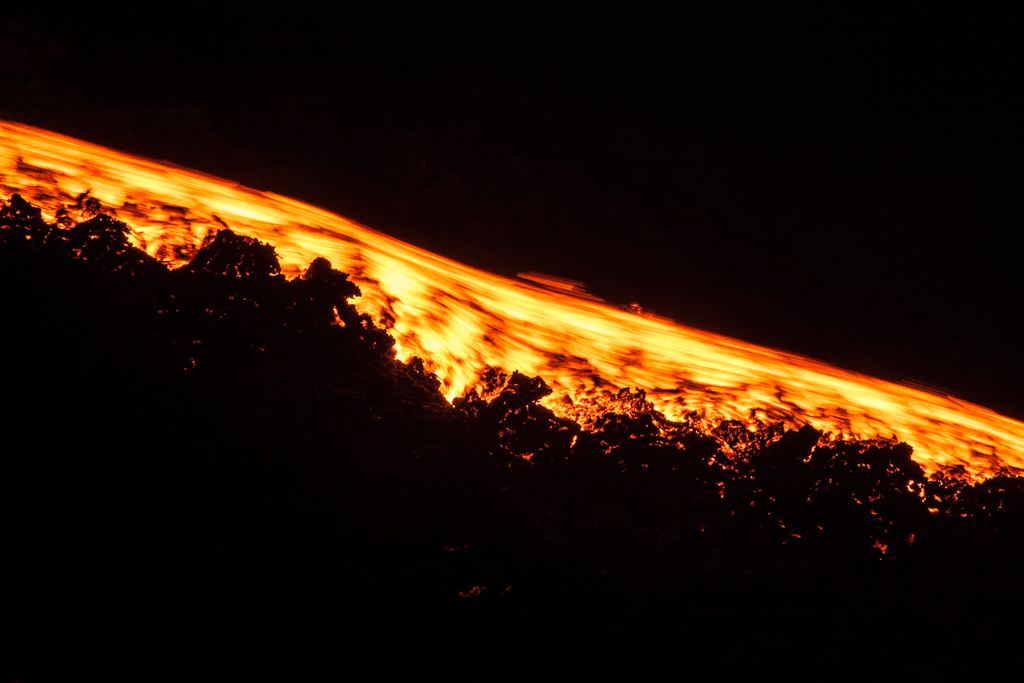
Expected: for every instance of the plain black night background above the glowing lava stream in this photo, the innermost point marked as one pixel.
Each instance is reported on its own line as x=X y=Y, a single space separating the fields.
x=837 y=182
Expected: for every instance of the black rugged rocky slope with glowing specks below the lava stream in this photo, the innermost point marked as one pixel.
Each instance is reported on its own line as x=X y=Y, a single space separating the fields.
x=217 y=471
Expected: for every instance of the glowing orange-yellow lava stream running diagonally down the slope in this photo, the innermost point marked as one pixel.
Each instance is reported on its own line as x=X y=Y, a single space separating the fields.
x=461 y=321
